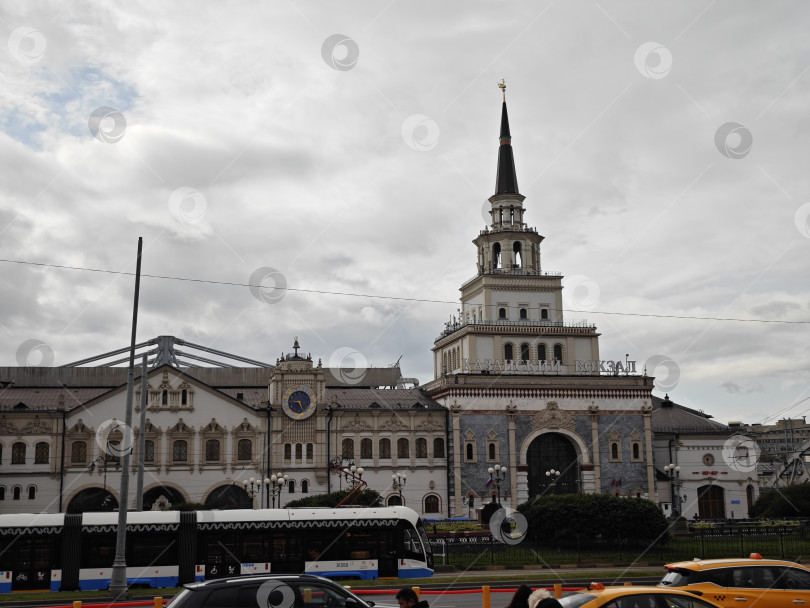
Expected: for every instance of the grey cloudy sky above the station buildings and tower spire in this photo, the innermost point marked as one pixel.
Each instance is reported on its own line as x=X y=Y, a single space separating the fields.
x=350 y=147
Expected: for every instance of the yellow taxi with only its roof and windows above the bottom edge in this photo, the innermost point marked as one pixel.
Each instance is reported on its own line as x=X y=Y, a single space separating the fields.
x=599 y=596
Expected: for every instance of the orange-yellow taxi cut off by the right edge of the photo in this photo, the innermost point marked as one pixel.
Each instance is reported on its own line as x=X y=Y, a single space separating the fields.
x=765 y=583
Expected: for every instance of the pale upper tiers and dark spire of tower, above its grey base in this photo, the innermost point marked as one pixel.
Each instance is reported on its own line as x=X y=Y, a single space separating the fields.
x=511 y=317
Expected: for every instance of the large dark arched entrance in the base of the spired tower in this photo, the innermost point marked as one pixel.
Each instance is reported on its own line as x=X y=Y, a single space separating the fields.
x=552 y=451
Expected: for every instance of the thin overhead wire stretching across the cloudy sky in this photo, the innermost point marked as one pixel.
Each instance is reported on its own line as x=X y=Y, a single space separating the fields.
x=397 y=298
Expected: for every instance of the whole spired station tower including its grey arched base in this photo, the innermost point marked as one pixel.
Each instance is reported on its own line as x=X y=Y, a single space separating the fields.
x=526 y=390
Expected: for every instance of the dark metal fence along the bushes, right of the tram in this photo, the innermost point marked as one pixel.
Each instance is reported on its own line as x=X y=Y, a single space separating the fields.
x=778 y=542
